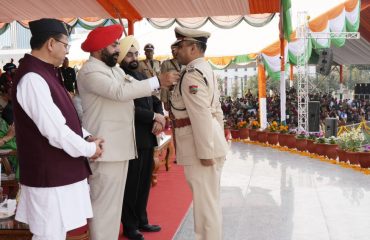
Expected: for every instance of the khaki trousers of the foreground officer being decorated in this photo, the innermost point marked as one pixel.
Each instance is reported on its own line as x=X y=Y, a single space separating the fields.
x=205 y=185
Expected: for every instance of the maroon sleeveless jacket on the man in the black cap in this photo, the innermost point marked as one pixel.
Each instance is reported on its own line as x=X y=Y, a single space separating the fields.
x=42 y=165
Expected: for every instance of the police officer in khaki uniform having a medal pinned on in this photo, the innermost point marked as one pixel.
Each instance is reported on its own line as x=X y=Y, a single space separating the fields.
x=198 y=122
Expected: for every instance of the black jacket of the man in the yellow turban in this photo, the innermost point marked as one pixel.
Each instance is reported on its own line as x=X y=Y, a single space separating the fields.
x=145 y=108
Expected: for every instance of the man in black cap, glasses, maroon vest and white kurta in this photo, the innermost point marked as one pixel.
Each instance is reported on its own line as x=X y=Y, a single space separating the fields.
x=51 y=209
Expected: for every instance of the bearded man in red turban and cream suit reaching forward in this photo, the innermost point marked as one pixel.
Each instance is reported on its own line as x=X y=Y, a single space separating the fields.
x=107 y=95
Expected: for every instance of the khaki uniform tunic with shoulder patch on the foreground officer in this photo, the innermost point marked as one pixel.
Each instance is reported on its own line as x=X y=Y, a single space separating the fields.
x=199 y=101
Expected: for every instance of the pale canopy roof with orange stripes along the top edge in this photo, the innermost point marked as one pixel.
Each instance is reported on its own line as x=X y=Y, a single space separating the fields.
x=133 y=10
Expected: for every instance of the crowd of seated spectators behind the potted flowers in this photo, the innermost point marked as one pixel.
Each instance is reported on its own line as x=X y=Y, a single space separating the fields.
x=347 y=111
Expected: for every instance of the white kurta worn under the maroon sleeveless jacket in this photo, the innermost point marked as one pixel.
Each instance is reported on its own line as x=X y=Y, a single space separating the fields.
x=64 y=207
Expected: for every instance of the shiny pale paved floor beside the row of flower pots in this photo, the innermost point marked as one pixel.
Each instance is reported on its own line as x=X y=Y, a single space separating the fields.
x=273 y=195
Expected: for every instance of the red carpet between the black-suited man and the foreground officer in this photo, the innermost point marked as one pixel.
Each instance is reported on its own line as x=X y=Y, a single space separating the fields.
x=169 y=201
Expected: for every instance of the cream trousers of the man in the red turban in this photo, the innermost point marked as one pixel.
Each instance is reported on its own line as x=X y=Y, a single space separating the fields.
x=107 y=186
